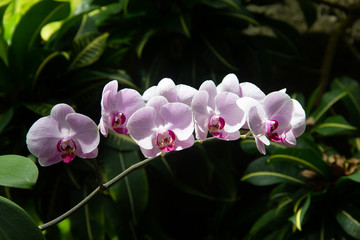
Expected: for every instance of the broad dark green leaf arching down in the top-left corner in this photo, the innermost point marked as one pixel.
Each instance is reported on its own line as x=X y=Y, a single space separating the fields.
x=27 y=33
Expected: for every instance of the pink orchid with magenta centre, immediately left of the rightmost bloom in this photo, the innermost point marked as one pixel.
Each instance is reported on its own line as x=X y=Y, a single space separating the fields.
x=217 y=114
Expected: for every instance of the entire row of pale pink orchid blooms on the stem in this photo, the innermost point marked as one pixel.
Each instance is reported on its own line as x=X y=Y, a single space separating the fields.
x=168 y=117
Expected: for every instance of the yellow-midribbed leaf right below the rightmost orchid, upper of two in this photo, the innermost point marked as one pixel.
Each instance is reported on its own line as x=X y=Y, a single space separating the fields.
x=305 y=157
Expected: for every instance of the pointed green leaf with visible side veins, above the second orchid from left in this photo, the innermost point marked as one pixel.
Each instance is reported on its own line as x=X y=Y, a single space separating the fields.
x=90 y=51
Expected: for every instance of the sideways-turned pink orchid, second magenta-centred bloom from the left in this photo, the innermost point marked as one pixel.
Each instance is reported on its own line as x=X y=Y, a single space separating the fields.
x=117 y=107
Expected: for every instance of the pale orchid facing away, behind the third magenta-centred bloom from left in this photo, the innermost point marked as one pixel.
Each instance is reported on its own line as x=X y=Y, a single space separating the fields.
x=173 y=93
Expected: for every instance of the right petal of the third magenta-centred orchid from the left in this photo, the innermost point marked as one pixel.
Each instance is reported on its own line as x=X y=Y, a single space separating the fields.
x=179 y=119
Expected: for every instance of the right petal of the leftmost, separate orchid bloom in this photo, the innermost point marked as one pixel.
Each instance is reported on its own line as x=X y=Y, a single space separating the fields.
x=84 y=131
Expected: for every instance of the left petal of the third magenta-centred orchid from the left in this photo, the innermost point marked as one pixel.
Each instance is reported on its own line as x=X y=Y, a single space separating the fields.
x=141 y=127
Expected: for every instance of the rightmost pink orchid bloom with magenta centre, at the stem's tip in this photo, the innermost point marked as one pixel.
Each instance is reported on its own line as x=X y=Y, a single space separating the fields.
x=269 y=120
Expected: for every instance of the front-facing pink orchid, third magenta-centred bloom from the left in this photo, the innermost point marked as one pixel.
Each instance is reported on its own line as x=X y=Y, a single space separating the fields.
x=162 y=126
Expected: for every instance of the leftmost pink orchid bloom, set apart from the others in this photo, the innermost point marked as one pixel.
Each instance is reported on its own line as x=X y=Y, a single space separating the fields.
x=62 y=136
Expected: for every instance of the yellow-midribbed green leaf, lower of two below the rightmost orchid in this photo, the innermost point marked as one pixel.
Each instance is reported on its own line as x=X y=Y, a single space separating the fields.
x=261 y=173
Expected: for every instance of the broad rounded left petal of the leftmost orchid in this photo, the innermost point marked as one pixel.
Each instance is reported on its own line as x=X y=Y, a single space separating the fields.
x=42 y=137
